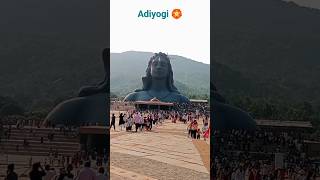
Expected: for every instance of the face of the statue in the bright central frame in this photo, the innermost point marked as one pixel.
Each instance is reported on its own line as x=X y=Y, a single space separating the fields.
x=159 y=68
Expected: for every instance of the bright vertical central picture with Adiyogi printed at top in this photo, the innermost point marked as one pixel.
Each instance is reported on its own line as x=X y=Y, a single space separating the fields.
x=159 y=90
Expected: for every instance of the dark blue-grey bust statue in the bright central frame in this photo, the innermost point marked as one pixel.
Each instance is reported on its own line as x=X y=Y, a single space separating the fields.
x=158 y=82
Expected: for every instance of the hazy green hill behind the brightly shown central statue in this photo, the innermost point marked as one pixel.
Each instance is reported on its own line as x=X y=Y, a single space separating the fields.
x=127 y=69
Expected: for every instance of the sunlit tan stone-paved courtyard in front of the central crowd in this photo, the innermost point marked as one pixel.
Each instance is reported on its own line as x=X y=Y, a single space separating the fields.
x=164 y=153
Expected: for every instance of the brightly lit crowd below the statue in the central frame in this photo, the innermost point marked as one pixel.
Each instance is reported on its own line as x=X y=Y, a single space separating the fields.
x=139 y=120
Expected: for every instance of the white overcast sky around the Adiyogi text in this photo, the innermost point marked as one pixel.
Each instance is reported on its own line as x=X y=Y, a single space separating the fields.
x=188 y=36
